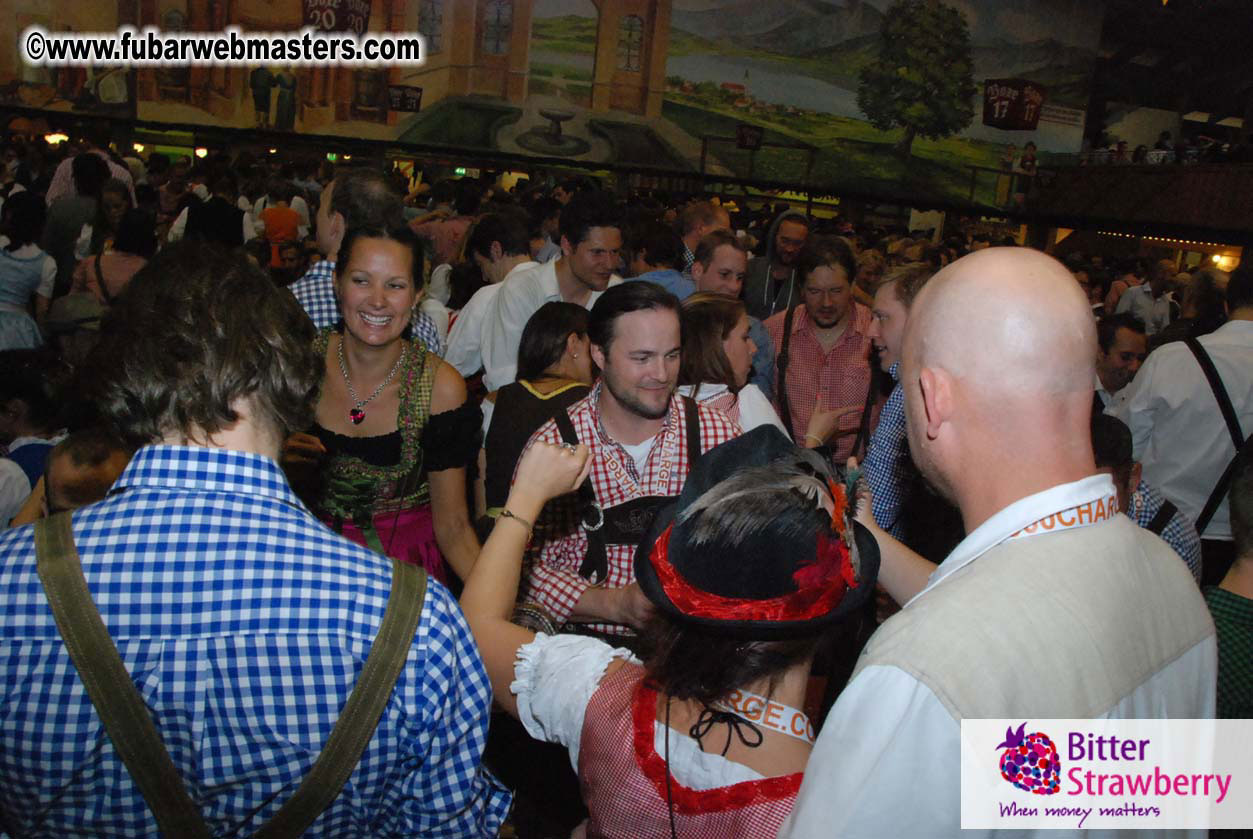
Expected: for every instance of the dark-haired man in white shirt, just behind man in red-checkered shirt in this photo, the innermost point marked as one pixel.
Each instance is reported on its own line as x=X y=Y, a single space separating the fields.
x=591 y=241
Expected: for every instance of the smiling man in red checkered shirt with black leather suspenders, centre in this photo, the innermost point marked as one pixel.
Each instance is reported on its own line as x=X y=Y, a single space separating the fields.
x=643 y=439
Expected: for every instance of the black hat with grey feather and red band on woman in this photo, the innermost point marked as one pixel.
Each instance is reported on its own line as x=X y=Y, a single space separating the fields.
x=760 y=543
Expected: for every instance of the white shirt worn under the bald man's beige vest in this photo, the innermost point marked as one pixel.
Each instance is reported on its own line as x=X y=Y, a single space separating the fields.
x=864 y=777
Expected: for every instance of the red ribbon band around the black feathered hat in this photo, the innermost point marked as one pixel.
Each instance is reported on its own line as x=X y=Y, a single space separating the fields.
x=823 y=585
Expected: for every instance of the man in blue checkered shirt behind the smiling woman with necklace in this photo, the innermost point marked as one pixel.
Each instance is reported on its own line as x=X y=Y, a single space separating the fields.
x=355 y=198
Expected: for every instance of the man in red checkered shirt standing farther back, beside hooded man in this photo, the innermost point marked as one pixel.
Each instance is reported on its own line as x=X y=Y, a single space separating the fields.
x=825 y=356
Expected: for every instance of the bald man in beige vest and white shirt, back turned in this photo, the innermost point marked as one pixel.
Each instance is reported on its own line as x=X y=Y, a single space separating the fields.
x=1051 y=608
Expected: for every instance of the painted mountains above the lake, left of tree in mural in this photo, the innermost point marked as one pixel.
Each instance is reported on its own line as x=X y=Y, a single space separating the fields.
x=785 y=27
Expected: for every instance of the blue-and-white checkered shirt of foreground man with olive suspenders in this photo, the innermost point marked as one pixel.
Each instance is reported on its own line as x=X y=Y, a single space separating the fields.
x=245 y=624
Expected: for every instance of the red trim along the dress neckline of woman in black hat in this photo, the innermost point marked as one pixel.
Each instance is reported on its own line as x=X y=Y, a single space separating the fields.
x=695 y=801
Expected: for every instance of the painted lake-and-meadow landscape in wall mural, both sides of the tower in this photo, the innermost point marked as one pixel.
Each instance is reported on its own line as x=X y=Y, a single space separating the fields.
x=801 y=71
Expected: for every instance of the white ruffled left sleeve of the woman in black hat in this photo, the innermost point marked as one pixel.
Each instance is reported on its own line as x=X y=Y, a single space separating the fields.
x=554 y=679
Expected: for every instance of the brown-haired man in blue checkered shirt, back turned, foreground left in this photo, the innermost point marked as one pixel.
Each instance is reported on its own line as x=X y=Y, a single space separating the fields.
x=242 y=620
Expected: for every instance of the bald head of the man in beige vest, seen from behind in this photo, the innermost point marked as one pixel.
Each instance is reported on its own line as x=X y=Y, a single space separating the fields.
x=998 y=368
